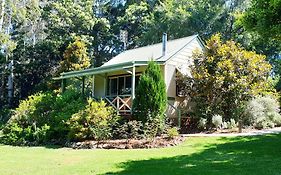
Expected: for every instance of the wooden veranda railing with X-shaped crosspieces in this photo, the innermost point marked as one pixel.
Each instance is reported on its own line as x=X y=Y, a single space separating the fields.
x=121 y=103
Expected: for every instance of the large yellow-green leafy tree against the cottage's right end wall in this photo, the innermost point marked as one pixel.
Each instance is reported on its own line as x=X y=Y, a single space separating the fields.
x=224 y=76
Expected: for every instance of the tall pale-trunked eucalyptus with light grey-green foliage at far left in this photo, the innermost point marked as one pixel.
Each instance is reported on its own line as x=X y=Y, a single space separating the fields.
x=19 y=23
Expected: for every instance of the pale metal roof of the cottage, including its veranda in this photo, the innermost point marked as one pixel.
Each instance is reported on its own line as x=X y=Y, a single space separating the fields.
x=134 y=57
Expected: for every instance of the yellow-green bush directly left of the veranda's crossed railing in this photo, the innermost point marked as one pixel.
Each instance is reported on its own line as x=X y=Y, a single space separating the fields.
x=93 y=122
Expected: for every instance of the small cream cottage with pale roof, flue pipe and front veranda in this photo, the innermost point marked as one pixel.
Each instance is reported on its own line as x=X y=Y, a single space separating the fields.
x=116 y=80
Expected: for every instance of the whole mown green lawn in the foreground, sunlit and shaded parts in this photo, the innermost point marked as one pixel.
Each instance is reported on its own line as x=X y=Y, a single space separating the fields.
x=234 y=155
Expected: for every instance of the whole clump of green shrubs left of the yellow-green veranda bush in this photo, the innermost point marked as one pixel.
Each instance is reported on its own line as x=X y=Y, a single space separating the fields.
x=41 y=118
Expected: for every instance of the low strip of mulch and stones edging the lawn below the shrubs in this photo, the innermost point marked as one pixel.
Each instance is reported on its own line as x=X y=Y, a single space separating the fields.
x=158 y=142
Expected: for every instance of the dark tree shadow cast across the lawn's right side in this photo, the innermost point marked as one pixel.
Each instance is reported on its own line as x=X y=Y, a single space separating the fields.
x=239 y=155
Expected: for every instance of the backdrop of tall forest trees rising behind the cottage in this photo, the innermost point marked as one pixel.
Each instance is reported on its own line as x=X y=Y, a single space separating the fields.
x=35 y=34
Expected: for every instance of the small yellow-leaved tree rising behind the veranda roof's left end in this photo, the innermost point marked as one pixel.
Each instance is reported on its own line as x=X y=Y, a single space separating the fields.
x=75 y=56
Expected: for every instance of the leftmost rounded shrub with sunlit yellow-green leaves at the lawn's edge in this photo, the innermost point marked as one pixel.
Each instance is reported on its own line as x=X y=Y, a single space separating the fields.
x=27 y=122
